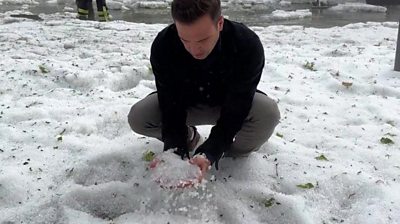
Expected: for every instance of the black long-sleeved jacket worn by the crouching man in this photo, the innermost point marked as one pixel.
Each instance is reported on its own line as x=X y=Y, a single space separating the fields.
x=227 y=77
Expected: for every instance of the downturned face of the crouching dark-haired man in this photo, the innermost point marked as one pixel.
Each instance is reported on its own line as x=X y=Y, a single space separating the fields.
x=200 y=37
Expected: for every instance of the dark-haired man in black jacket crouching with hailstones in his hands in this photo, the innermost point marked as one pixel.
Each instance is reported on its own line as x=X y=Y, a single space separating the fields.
x=206 y=70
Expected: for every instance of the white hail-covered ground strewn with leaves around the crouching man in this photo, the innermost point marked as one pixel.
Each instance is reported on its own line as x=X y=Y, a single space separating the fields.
x=67 y=154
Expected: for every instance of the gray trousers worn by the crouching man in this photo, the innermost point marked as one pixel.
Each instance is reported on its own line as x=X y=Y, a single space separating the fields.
x=145 y=119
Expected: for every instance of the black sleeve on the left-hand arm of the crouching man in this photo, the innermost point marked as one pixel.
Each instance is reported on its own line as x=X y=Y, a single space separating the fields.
x=174 y=129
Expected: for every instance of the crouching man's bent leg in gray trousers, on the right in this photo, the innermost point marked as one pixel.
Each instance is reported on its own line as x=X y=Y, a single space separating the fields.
x=259 y=125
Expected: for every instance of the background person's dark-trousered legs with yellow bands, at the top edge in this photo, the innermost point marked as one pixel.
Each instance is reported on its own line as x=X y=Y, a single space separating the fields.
x=85 y=10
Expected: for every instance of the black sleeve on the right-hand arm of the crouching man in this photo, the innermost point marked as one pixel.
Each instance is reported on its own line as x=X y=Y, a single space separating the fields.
x=247 y=74
